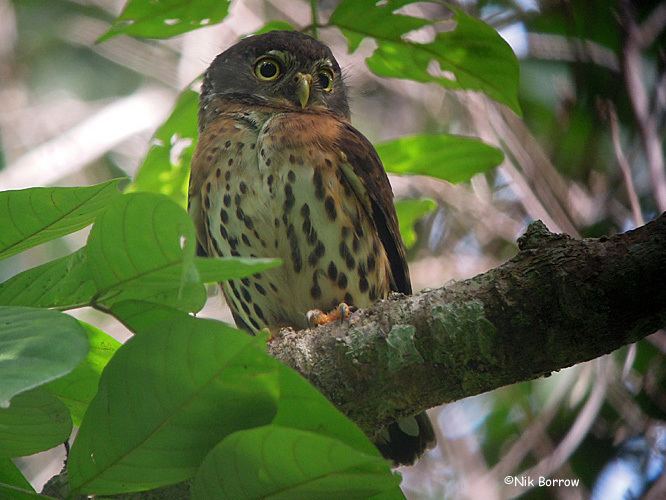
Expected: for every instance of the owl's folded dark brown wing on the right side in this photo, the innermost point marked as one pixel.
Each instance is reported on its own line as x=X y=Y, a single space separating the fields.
x=370 y=183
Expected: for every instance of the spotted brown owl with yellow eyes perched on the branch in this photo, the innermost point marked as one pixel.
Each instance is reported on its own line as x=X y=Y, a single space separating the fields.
x=279 y=171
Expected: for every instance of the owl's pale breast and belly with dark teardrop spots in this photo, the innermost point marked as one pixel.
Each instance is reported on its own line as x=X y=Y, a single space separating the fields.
x=271 y=190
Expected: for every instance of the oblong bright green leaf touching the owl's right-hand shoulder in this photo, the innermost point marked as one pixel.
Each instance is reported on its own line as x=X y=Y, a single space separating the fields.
x=449 y=157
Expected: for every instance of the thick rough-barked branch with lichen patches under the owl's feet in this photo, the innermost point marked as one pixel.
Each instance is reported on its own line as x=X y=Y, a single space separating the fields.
x=558 y=302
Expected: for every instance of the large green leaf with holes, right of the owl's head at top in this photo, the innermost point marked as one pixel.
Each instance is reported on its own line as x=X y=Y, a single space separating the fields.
x=472 y=56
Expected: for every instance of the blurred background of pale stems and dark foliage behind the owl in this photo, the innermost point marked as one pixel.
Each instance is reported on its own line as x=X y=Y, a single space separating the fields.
x=586 y=158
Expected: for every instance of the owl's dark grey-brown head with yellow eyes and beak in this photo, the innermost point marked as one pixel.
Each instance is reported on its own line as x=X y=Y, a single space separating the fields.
x=285 y=69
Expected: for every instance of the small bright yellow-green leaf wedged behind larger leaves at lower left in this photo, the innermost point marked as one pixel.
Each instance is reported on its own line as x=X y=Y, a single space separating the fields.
x=78 y=388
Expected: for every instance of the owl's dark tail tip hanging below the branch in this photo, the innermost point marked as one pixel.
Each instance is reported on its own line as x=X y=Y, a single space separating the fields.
x=406 y=439
